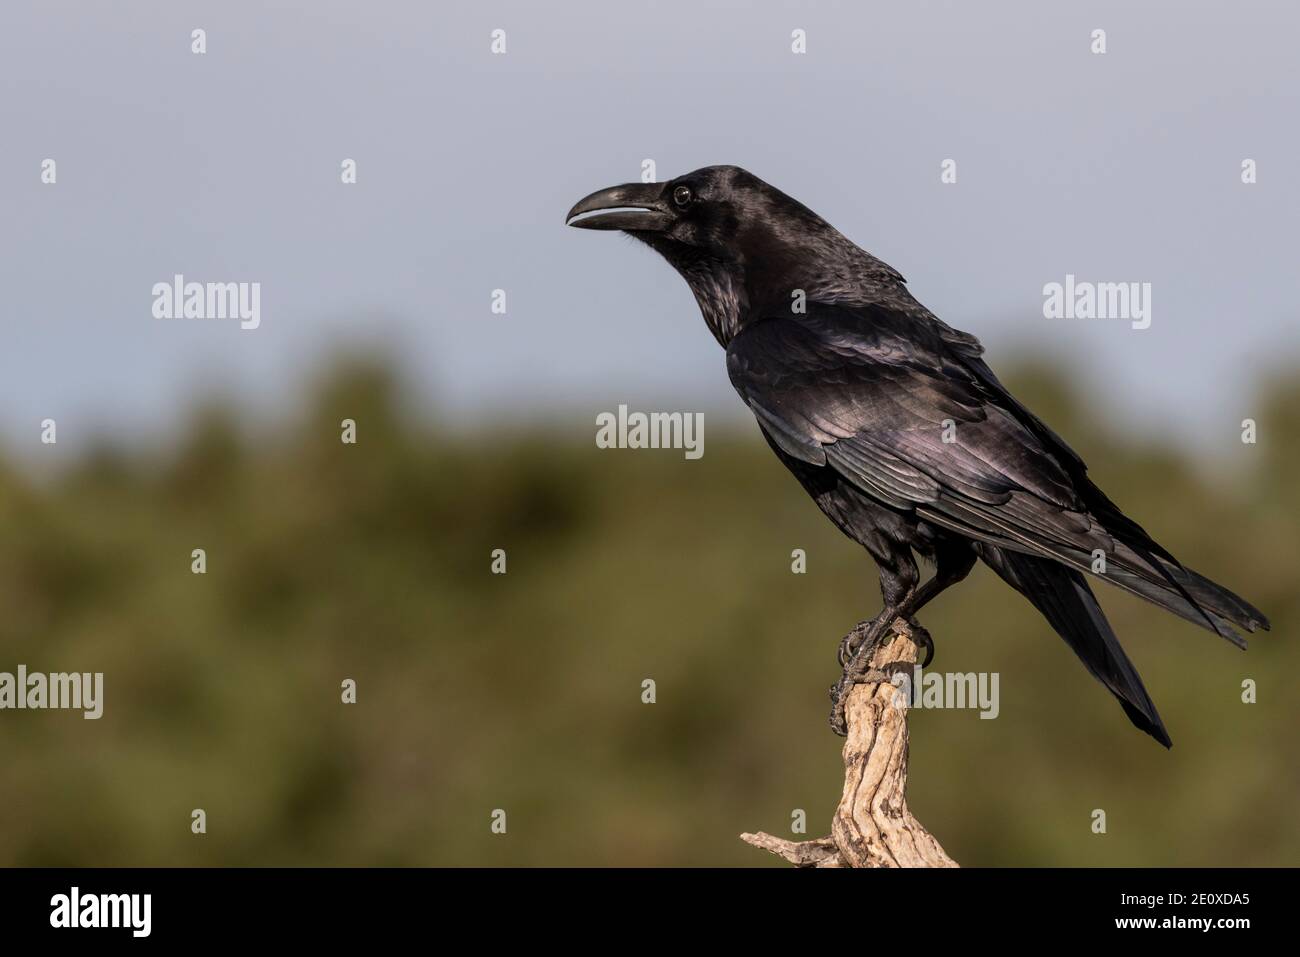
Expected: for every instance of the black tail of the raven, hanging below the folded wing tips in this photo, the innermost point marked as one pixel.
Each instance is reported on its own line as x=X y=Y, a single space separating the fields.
x=1063 y=596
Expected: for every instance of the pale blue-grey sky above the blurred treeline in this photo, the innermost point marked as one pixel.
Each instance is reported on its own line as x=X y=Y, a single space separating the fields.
x=226 y=167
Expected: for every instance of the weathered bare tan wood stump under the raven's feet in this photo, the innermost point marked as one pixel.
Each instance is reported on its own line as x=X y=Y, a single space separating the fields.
x=873 y=826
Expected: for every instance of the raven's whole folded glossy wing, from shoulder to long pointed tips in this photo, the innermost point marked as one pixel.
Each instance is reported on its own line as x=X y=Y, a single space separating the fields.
x=916 y=421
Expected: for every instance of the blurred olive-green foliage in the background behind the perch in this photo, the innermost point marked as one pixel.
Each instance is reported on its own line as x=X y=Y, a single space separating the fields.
x=523 y=692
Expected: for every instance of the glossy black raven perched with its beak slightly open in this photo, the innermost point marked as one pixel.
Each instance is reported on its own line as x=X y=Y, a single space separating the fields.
x=899 y=430
